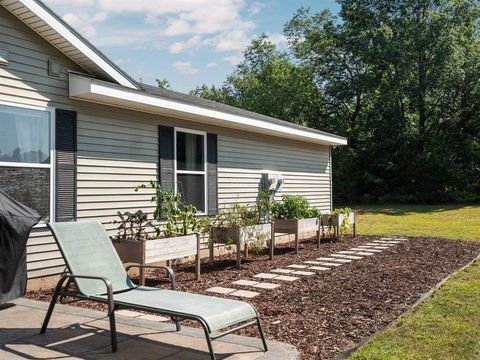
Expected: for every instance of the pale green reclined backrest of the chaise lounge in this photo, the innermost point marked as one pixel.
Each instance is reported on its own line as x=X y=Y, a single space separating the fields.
x=88 y=250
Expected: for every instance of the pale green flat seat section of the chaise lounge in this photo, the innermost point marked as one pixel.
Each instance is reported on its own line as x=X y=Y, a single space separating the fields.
x=217 y=313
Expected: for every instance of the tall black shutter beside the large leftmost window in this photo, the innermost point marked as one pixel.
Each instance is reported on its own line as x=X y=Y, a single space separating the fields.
x=66 y=165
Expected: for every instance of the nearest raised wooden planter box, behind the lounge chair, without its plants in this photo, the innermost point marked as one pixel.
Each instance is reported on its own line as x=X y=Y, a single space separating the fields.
x=155 y=250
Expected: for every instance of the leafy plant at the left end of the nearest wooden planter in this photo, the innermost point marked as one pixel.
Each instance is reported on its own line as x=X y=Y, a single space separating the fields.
x=132 y=226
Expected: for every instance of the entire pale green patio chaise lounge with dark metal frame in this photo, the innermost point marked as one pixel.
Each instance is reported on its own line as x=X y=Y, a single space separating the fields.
x=99 y=275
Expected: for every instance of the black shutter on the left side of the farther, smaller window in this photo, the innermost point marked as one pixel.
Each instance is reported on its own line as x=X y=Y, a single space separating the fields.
x=166 y=156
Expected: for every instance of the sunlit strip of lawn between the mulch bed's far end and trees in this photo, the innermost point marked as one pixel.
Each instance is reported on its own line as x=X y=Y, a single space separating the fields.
x=450 y=221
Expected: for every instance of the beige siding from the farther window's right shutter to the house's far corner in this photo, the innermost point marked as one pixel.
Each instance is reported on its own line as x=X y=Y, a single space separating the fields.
x=242 y=161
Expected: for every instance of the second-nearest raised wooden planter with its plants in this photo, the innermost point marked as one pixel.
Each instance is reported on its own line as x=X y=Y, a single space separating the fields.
x=242 y=225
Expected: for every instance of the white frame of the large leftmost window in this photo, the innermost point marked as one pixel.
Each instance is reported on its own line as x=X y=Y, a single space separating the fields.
x=52 y=154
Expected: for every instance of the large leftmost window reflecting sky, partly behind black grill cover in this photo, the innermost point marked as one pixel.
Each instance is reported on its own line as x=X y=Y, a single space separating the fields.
x=26 y=156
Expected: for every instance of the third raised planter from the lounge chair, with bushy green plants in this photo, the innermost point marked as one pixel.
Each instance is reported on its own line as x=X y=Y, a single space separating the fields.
x=294 y=215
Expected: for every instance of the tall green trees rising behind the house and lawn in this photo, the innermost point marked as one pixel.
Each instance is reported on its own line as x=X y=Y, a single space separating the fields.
x=399 y=78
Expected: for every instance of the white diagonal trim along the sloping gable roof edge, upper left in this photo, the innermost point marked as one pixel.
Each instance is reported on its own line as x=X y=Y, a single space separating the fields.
x=83 y=45
